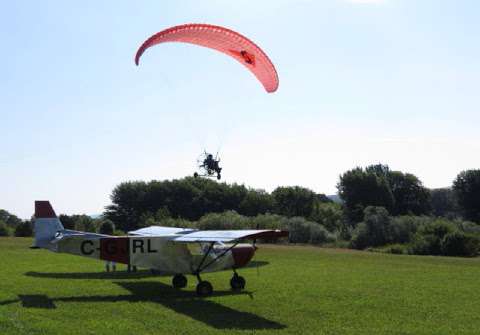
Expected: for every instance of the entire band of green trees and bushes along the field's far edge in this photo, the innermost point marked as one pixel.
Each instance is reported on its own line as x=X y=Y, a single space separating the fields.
x=380 y=209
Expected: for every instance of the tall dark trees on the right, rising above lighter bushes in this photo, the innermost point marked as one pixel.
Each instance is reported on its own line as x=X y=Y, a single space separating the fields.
x=403 y=193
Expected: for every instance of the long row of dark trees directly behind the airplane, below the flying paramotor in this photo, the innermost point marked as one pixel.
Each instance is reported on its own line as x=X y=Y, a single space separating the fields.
x=136 y=204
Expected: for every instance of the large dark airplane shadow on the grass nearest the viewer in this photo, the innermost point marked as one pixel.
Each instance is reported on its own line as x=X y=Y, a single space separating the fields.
x=183 y=302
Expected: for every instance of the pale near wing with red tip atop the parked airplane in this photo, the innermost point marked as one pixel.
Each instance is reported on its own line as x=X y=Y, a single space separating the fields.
x=229 y=235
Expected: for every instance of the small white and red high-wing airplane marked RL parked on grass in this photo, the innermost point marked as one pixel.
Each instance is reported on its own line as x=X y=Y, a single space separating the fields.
x=165 y=250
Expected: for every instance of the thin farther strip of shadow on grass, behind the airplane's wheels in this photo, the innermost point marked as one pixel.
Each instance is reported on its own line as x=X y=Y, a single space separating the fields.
x=112 y=275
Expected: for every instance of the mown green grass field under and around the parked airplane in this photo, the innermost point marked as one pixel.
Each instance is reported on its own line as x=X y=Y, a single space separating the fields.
x=299 y=290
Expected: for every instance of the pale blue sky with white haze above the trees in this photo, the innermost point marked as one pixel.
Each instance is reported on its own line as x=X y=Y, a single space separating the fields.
x=393 y=81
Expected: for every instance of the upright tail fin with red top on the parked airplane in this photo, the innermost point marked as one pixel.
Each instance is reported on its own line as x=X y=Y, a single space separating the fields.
x=47 y=224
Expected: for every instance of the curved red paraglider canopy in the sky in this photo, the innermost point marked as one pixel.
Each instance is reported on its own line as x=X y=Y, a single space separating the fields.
x=223 y=40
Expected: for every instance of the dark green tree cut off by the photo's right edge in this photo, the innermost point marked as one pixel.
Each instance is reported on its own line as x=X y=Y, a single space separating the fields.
x=467 y=189
